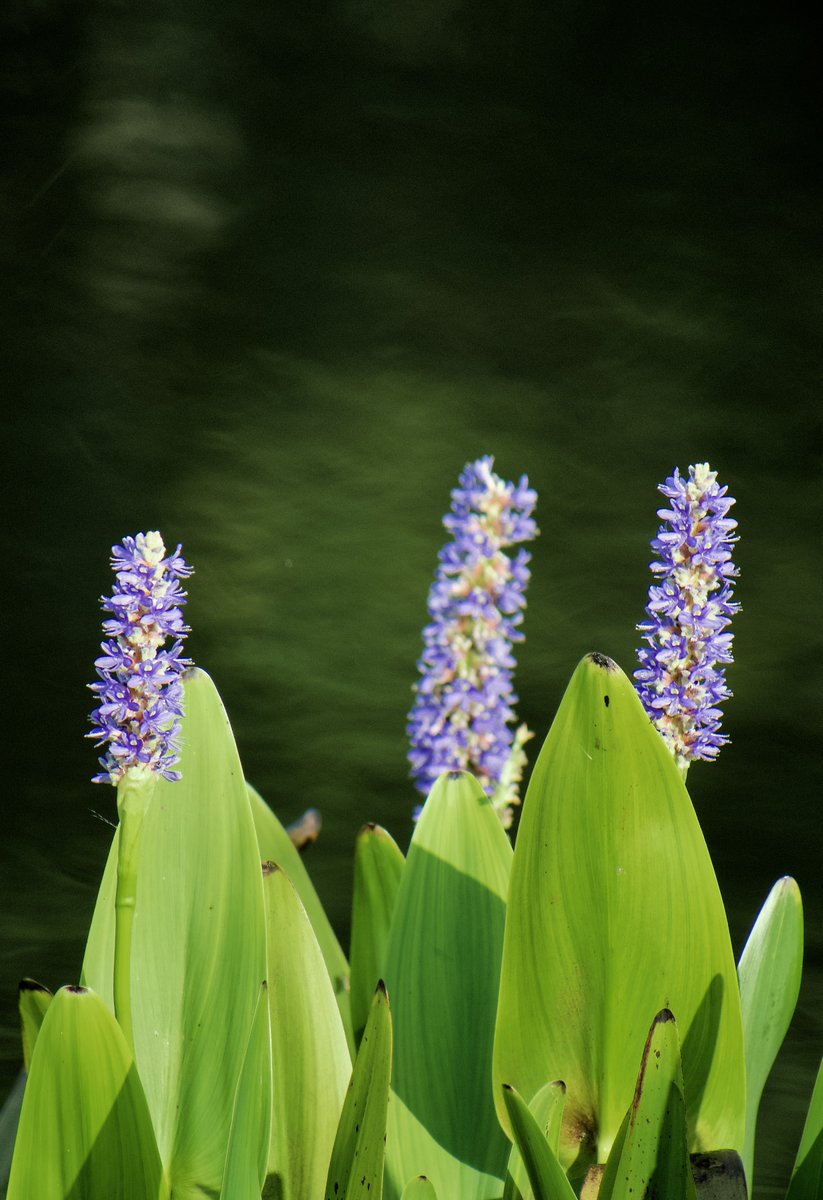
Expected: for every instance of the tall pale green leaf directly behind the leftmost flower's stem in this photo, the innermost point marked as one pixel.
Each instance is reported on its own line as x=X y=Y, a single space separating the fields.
x=199 y=952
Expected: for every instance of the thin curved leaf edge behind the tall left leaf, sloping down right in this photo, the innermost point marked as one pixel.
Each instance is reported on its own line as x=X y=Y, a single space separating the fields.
x=277 y=847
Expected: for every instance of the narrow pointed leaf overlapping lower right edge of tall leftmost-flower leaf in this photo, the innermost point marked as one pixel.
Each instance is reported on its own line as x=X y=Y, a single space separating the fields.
x=251 y=1120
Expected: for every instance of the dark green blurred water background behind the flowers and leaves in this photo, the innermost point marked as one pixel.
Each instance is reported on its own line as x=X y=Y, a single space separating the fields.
x=272 y=277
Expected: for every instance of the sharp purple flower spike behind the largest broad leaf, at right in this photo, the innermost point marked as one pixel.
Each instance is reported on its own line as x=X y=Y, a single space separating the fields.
x=682 y=679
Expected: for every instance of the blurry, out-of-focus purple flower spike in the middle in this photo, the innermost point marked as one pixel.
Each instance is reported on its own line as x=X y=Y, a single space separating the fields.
x=462 y=715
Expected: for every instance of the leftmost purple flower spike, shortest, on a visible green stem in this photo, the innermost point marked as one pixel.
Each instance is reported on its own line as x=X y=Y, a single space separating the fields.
x=140 y=689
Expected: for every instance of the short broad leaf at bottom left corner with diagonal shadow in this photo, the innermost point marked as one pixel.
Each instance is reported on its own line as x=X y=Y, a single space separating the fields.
x=86 y=1130
